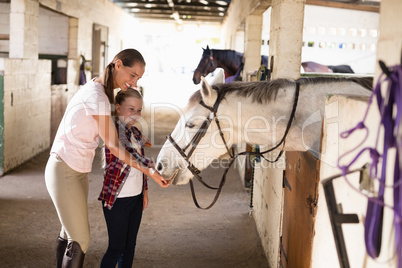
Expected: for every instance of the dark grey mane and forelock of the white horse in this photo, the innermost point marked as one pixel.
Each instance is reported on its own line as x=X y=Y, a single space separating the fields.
x=266 y=91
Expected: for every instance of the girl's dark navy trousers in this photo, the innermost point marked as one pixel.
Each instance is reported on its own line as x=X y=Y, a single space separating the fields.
x=123 y=222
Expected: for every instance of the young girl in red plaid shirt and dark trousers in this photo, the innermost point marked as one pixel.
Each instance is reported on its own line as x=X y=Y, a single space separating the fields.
x=125 y=192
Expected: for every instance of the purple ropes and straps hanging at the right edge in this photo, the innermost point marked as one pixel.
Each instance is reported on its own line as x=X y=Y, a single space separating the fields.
x=391 y=121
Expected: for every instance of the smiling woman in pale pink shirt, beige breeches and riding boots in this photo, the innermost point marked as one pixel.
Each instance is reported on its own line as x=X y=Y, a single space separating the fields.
x=87 y=118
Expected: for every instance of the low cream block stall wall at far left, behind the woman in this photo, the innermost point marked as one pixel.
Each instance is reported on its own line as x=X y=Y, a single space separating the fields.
x=26 y=109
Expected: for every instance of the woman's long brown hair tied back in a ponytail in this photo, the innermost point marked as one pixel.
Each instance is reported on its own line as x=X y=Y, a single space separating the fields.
x=129 y=57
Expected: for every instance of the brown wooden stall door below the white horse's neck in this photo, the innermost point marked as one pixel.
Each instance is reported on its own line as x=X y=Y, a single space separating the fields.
x=299 y=209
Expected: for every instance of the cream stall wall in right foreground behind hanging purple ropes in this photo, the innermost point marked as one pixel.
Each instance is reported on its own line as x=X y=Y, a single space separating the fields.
x=337 y=119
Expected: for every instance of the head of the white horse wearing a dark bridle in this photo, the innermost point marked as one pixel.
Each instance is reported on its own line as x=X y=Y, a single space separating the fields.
x=195 y=141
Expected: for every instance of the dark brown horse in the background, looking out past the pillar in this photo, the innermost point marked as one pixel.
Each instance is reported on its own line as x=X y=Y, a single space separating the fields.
x=229 y=60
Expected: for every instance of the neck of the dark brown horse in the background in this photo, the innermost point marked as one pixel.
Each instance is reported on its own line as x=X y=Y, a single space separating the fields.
x=226 y=61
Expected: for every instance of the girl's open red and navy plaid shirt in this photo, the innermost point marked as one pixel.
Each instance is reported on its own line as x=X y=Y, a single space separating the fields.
x=116 y=171
